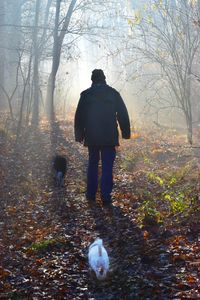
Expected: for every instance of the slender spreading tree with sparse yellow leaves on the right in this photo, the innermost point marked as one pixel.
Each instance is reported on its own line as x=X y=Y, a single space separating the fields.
x=166 y=36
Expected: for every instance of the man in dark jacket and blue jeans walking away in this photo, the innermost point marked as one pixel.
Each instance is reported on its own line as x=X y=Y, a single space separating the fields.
x=99 y=110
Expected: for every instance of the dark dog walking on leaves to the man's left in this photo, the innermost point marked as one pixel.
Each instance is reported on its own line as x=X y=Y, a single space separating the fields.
x=60 y=167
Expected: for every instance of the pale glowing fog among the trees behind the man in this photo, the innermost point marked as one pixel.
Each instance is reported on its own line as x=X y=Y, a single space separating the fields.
x=149 y=51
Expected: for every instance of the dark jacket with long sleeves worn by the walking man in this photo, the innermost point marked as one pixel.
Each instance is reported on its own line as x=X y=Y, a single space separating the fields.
x=99 y=109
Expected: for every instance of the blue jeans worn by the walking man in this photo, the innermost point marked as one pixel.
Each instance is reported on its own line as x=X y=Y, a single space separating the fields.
x=107 y=155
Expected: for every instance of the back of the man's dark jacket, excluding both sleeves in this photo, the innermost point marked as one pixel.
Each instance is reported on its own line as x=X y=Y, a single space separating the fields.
x=100 y=115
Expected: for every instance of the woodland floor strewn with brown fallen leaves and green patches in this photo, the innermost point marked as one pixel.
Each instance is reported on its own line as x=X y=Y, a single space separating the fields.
x=151 y=232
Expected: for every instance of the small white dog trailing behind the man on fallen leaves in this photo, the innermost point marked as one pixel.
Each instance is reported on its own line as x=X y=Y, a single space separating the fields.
x=98 y=259
